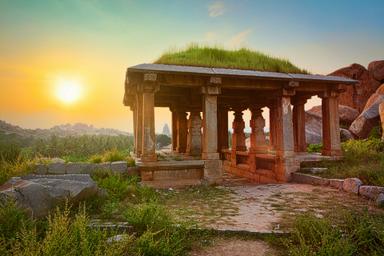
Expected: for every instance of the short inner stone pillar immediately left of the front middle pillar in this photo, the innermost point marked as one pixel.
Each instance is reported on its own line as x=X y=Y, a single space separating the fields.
x=194 y=134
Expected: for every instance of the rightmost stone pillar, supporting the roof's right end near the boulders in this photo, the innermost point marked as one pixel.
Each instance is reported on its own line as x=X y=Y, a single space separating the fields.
x=331 y=129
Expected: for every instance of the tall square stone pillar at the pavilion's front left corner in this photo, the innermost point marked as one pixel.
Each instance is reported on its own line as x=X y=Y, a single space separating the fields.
x=149 y=137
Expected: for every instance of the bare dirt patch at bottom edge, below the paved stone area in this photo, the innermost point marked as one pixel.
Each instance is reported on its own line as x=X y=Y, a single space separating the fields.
x=235 y=247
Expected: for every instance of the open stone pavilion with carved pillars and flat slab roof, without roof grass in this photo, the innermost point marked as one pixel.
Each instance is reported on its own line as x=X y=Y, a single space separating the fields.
x=200 y=98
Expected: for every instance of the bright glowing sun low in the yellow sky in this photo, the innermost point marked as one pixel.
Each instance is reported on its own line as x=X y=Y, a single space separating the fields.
x=68 y=91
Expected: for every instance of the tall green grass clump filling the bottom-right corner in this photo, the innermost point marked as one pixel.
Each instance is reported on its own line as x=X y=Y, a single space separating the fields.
x=344 y=233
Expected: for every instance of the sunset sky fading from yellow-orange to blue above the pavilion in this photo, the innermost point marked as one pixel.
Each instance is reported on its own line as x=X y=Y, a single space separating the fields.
x=89 y=44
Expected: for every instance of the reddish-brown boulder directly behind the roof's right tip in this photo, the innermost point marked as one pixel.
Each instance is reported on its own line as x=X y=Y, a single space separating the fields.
x=356 y=96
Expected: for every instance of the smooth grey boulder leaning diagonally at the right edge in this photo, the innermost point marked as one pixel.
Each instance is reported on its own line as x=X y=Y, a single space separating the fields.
x=370 y=116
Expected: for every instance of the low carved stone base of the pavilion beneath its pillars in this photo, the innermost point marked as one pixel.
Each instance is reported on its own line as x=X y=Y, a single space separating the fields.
x=180 y=170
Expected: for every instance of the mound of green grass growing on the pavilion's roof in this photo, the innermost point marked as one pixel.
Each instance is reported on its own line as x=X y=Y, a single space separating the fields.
x=243 y=58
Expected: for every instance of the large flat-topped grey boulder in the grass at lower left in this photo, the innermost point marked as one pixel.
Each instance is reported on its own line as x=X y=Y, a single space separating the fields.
x=38 y=194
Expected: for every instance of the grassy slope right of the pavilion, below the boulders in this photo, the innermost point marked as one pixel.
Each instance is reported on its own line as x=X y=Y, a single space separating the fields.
x=362 y=158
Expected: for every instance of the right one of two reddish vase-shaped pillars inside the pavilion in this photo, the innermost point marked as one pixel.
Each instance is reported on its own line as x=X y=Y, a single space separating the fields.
x=257 y=124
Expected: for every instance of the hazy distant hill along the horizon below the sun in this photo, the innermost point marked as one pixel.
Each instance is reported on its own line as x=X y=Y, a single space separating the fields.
x=58 y=130
